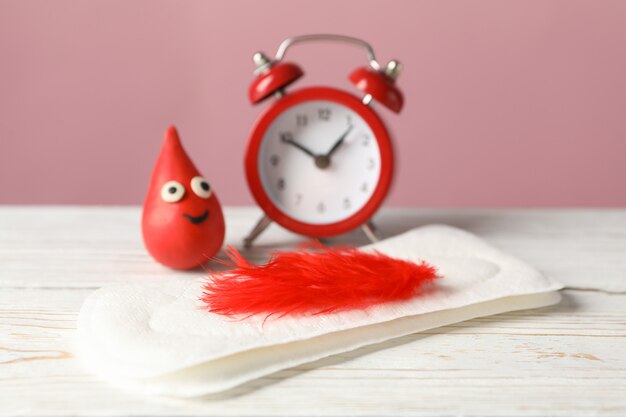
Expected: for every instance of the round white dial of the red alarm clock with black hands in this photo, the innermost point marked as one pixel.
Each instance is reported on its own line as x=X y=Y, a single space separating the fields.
x=319 y=162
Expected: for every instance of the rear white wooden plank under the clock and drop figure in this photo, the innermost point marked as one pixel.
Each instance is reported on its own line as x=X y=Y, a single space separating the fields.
x=87 y=247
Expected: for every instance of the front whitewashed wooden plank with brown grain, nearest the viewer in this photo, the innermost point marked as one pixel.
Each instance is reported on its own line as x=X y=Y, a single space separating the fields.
x=566 y=360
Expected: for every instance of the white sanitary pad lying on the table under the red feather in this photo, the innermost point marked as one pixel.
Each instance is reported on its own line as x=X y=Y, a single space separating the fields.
x=158 y=339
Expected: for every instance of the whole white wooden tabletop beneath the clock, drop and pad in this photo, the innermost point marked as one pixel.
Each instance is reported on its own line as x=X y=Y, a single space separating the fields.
x=566 y=360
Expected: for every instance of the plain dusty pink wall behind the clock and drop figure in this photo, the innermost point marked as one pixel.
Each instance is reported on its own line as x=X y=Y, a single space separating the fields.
x=509 y=103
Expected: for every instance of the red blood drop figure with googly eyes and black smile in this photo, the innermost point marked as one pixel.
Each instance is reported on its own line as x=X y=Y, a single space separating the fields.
x=182 y=221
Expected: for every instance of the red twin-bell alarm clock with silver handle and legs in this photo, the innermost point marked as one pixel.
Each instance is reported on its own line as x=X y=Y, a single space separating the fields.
x=319 y=160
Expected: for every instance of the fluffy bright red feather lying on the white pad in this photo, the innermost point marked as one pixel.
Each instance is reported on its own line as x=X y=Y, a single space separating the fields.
x=313 y=282
